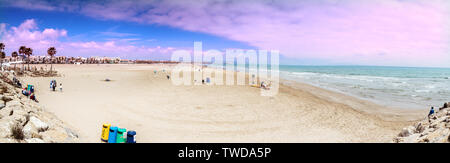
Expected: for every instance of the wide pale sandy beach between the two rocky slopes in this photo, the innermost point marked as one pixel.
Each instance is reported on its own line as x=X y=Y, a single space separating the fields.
x=137 y=99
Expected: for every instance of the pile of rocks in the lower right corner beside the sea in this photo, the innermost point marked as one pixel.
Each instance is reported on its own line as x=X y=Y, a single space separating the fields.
x=435 y=129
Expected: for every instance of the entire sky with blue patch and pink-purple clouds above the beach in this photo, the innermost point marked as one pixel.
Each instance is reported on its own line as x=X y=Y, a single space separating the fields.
x=414 y=33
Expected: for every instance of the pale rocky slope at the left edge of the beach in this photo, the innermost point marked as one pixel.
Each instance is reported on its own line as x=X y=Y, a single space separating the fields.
x=24 y=121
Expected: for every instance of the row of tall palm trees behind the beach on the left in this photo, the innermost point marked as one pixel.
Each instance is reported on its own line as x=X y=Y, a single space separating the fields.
x=24 y=51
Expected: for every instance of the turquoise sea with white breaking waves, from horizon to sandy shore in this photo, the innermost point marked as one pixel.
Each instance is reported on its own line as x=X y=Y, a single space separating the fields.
x=404 y=87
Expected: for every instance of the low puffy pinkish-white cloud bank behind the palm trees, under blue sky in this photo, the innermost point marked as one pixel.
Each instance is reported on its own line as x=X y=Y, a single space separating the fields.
x=29 y=35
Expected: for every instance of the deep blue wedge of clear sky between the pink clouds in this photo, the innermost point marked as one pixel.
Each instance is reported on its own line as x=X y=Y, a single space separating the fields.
x=83 y=28
